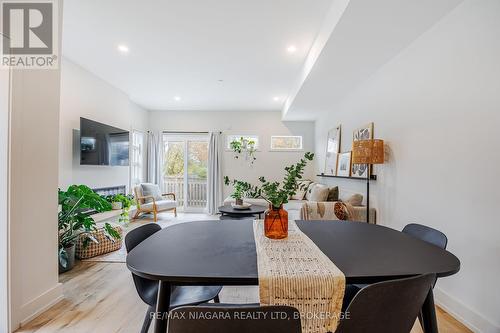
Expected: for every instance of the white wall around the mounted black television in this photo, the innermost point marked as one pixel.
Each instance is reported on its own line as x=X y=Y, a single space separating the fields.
x=85 y=95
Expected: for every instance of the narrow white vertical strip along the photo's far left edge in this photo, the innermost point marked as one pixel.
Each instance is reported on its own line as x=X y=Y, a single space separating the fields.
x=4 y=173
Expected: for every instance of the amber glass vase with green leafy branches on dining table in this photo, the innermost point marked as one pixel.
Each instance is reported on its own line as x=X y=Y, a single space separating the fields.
x=277 y=194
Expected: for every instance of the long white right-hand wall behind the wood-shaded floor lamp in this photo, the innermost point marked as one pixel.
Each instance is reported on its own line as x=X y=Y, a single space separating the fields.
x=437 y=105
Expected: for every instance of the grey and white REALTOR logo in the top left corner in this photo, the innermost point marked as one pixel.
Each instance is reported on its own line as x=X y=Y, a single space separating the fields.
x=29 y=34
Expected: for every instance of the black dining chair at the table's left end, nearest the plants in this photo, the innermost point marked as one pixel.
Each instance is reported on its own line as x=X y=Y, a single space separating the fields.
x=148 y=289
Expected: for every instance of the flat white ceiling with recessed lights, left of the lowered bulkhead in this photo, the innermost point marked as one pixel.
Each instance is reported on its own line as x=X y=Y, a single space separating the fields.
x=195 y=54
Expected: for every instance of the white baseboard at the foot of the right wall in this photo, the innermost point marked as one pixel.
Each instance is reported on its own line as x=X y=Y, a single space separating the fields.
x=470 y=318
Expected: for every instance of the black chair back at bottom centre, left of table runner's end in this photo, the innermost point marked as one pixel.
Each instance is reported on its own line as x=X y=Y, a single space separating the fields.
x=226 y=318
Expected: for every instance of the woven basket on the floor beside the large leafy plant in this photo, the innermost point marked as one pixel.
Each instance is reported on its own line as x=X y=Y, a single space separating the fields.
x=96 y=249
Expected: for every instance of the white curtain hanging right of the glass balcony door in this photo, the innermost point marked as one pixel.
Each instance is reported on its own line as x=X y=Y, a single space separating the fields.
x=214 y=186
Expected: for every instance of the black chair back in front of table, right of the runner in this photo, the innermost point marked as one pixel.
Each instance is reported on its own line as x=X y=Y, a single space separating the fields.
x=386 y=307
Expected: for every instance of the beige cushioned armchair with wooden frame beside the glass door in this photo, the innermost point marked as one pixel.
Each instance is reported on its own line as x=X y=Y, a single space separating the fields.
x=153 y=203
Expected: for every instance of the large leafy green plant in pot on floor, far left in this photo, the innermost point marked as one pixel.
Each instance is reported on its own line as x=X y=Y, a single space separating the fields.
x=73 y=221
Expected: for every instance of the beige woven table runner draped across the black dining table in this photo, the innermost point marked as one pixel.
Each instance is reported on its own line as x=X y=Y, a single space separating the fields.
x=294 y=272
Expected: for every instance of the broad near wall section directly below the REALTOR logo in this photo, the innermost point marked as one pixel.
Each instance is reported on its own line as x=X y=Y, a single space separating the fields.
x=33 y=209
